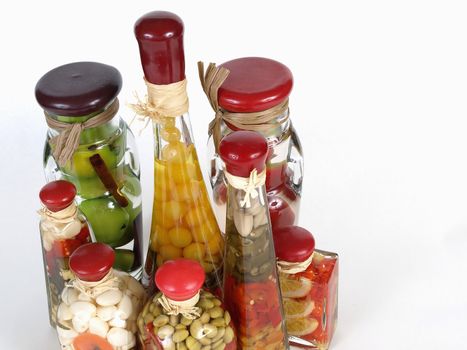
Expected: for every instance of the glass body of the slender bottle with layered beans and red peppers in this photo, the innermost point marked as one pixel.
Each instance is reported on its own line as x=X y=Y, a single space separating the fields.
x=251 y=286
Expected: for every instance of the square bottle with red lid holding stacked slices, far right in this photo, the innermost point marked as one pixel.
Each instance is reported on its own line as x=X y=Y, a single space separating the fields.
x=309 y=280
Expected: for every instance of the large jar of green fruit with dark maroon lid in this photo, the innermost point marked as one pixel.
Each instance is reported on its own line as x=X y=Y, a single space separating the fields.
x=103 y=165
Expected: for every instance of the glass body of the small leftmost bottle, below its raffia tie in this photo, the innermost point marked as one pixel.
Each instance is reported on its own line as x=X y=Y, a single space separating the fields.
x=56 y=270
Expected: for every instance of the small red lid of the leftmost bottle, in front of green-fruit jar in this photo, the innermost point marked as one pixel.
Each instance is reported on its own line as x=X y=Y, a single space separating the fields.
x=57 y=195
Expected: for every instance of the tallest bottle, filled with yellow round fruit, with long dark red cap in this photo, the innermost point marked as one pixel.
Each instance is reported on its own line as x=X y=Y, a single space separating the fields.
x=183 y=222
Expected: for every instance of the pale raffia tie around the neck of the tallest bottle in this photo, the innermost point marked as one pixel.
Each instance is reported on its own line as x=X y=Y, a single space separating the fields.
x=161 y=101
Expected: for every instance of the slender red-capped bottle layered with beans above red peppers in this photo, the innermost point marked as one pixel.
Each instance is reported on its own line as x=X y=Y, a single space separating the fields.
x=251 y=287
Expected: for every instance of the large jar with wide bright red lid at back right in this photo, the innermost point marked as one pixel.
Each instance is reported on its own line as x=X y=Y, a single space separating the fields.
x=253 y=94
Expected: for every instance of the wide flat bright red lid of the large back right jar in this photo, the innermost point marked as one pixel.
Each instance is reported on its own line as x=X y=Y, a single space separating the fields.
x=254 y=84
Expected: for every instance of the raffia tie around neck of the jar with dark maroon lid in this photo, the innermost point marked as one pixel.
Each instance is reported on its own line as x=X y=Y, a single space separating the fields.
x=67 y=141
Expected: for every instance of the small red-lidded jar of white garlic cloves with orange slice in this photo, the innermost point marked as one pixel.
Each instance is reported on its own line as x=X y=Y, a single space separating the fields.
x=99 y=307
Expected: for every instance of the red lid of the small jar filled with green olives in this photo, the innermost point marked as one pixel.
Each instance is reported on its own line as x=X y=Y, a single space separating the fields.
x=180 y=279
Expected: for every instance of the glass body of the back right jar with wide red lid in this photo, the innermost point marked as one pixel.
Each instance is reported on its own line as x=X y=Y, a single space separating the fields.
x=283 y=178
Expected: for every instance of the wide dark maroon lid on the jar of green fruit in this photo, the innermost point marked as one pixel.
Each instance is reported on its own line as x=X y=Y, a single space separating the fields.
x=78 y=89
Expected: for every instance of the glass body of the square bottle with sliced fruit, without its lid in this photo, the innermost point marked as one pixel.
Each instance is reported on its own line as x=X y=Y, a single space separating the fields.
x=310 y=301
